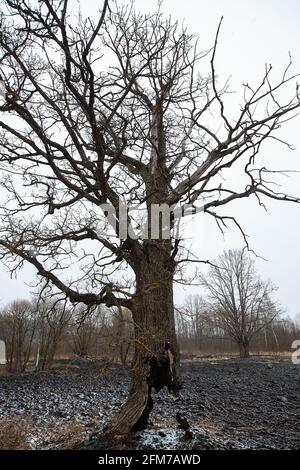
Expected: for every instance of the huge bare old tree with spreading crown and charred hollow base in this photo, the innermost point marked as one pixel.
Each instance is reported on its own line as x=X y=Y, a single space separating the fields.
x=78 y=133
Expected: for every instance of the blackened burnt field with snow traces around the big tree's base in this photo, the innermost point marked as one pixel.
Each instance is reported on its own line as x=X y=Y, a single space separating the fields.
x=232 y=404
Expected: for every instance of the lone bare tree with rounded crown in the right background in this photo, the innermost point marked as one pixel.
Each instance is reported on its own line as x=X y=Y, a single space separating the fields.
x=240 y=300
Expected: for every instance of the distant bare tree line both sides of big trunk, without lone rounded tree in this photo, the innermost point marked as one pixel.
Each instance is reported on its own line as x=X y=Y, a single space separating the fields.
x=36 y=335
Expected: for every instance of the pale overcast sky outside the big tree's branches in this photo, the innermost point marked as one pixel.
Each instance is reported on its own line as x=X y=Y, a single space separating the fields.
x=253 y=33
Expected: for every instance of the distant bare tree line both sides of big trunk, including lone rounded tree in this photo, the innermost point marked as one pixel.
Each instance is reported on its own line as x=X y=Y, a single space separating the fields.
x=238 y=315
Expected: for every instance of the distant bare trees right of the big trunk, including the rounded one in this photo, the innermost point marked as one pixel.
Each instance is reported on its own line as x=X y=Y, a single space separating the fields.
x=239 y=312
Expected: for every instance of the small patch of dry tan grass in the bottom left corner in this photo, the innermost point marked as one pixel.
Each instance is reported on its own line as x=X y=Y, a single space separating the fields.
x=14 y=434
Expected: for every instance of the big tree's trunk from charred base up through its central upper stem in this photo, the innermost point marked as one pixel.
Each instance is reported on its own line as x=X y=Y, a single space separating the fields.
x=156 y=357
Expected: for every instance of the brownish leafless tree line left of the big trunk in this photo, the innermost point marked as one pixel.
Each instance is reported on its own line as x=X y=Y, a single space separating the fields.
x=37 y=332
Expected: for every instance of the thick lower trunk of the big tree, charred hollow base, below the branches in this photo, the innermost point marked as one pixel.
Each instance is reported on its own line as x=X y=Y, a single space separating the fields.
x=155 y=337
